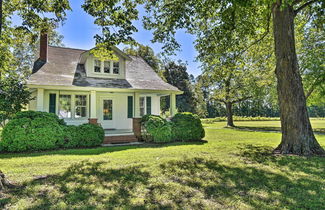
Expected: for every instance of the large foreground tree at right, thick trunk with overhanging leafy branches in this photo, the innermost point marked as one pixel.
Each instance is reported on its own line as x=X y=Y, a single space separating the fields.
x=220 y=25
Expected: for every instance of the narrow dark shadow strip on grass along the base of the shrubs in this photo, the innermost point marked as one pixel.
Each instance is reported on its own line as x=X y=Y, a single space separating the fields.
x=97 y=150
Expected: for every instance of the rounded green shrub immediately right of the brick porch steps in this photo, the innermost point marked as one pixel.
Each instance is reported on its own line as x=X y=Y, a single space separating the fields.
x=156 y=129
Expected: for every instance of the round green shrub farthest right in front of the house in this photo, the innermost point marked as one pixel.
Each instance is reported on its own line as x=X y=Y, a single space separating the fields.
x=187 y=127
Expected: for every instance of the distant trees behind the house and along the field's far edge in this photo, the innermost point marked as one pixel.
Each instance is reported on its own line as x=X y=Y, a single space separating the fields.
x=200 y=94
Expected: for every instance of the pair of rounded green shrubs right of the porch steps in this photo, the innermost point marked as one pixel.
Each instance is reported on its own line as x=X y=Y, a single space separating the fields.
x=183 y=127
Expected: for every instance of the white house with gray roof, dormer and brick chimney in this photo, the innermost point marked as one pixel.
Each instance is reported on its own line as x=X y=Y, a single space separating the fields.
x=80 y=88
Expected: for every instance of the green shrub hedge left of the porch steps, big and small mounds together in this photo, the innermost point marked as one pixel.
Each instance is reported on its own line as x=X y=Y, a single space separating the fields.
x=34 y=131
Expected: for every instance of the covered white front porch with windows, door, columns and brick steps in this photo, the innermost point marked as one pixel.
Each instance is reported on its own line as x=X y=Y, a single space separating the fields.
x=118 y=112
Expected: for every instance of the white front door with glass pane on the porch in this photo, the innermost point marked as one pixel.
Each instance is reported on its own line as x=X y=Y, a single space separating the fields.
x=107 y=110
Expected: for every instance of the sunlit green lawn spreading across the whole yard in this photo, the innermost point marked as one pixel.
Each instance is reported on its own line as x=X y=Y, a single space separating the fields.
x=234 y=169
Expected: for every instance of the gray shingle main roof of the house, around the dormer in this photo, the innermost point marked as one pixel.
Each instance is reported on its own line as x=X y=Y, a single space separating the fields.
x=63 y=69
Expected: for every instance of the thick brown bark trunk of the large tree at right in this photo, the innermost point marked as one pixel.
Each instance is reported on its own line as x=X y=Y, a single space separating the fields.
x=297 y=134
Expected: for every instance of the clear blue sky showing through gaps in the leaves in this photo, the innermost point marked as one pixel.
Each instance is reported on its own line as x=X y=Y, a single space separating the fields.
x=79 y=30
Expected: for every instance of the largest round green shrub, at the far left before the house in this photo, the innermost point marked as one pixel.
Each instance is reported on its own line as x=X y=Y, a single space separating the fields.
x=26 y=134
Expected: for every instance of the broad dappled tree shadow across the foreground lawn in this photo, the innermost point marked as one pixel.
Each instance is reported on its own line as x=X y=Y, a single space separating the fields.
x=193 y=183
